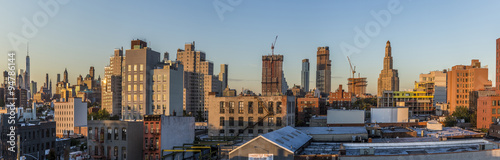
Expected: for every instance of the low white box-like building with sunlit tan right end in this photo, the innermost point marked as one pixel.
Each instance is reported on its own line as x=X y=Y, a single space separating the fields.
x=389 y=115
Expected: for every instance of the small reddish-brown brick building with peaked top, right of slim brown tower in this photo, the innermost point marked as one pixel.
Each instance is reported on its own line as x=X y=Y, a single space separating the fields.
x=340 y=99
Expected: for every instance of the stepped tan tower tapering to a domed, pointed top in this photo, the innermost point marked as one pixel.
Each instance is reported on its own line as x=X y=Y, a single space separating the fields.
x=388 y=79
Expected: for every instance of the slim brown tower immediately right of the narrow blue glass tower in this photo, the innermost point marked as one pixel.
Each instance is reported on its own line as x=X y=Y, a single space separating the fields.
x=324 y=70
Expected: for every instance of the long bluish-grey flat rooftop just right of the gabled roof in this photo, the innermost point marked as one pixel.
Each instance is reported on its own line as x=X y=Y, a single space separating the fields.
x=332 y=130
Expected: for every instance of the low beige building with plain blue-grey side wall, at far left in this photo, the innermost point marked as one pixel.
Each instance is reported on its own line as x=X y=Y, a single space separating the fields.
x=68 y=115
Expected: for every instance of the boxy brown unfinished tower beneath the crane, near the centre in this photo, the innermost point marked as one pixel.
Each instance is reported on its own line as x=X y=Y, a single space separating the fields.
x=272 y=75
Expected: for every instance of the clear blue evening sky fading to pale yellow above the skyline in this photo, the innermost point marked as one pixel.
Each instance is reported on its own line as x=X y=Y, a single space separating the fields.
x=425 y=35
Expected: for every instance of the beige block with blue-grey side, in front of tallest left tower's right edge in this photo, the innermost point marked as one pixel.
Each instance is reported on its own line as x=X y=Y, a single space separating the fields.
x=167 y=89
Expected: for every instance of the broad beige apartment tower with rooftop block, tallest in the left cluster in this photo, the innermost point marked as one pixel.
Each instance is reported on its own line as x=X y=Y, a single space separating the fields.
x=137 y=80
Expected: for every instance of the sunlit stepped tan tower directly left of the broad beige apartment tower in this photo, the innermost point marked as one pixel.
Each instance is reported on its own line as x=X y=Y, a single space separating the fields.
x=112 y=84
